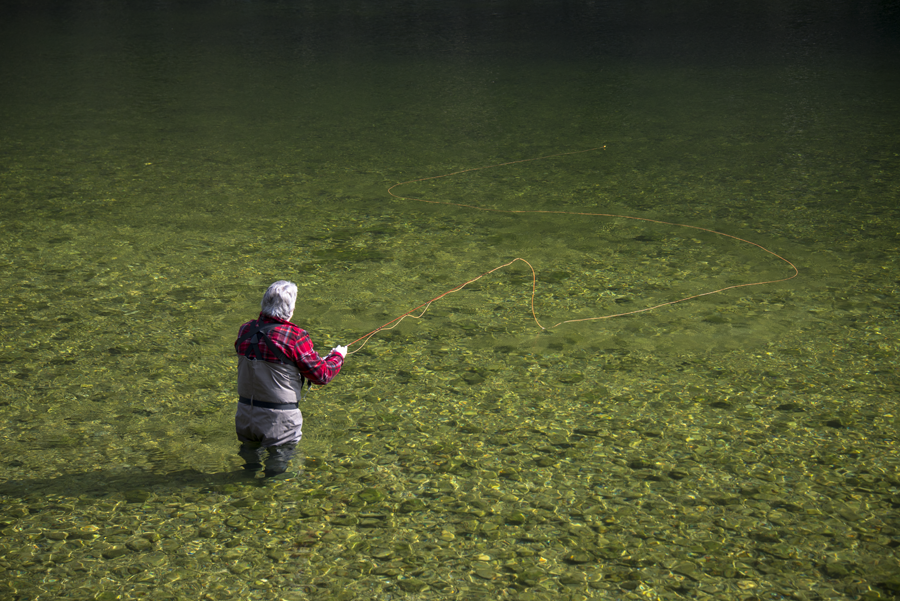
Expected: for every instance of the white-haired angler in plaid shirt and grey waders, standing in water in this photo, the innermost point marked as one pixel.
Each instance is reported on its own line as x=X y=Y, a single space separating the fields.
x=275 y=359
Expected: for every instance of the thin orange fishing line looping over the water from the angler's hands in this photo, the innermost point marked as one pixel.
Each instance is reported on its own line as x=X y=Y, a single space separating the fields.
x=396 y=321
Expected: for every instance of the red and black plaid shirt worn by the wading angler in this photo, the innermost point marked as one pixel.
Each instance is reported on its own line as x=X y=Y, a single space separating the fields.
x=296 y=345
